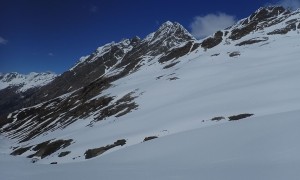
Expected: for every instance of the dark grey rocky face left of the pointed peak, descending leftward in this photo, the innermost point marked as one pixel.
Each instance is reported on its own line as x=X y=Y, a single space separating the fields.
x=87 y=70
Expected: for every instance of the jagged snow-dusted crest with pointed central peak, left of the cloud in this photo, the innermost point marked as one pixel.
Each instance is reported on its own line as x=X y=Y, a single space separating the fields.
x=168 y=35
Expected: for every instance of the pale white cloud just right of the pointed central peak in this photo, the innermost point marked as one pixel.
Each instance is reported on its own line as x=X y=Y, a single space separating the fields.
x=203 y=26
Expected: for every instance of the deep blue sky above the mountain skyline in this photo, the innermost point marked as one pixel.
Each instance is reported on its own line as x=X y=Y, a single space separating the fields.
x=51 y=35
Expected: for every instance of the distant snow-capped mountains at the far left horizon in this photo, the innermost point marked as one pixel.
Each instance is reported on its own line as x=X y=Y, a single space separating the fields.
x=25 y=82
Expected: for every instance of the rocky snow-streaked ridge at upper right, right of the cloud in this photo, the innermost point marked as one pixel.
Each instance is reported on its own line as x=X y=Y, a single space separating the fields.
x=270 y=20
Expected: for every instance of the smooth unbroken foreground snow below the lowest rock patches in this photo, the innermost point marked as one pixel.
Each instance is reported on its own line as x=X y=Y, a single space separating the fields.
x=260 y=148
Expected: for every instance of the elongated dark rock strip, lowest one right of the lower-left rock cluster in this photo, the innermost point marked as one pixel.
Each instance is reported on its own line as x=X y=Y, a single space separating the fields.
x=90 y=153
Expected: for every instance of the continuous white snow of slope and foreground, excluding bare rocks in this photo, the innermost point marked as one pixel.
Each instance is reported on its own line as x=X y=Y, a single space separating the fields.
x=263 y=80
